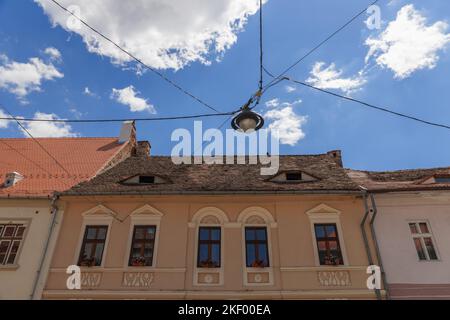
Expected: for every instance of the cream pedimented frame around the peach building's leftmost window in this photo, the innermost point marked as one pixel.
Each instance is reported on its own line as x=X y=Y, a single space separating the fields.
x=97 y=216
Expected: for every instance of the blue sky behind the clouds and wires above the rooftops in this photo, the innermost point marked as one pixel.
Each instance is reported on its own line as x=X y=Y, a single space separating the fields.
x=369 y=139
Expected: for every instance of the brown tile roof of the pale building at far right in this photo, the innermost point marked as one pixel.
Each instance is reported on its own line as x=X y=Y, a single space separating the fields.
x=401 y=180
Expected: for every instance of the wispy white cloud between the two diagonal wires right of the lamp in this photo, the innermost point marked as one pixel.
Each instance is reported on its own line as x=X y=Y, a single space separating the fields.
x=331 y=78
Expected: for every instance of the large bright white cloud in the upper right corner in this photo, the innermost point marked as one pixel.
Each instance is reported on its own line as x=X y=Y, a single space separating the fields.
x=408 y=44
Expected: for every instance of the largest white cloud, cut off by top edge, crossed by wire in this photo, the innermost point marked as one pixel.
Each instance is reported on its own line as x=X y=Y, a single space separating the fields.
x=162 y=33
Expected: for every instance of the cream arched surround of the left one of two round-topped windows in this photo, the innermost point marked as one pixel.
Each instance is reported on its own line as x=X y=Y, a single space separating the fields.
x=198 y=220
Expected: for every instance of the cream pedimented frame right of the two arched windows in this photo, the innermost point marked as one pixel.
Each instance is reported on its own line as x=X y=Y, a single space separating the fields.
x=324 y=214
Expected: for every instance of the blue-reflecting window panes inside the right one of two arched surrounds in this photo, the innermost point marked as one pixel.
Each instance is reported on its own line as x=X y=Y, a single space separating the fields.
x=256 y=247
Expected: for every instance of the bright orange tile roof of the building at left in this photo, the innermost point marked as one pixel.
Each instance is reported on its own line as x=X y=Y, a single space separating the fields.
x=82 y=157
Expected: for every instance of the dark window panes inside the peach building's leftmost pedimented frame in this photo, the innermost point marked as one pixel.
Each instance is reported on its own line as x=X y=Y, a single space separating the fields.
x=93 y=246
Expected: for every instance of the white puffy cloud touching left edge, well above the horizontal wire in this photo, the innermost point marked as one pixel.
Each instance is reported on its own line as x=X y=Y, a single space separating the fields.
x=23 y=78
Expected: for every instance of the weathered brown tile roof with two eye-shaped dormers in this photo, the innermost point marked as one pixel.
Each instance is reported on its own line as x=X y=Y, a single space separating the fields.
x=218 y=178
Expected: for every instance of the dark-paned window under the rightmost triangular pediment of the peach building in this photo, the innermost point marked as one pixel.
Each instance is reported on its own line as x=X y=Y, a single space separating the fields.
x=328 y=245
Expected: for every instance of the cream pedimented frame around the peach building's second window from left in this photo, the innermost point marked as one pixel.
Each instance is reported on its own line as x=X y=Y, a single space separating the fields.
x=146 y=215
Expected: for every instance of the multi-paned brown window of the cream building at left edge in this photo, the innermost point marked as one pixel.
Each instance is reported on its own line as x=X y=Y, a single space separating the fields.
x=11 y=237
